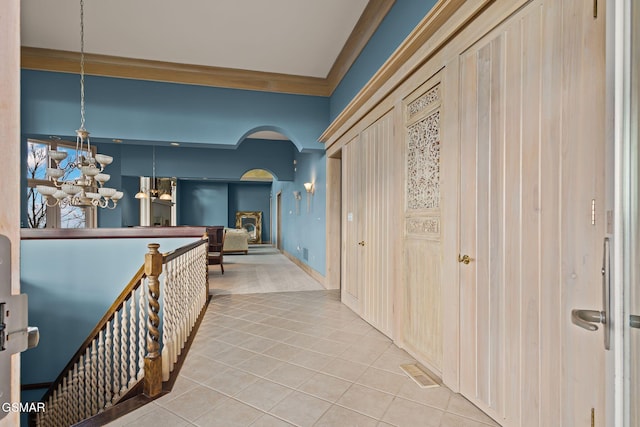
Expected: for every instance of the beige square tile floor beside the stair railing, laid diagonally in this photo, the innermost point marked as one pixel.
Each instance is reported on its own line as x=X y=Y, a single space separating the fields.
x=297 y=359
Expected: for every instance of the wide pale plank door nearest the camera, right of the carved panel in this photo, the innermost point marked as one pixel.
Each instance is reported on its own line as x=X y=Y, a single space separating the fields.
x=531 y=162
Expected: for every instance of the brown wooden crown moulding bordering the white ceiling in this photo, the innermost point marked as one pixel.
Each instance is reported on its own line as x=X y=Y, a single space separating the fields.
x=139 y=69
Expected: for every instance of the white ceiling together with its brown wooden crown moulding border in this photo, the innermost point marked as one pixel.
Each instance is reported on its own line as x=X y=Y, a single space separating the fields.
x=294 y=46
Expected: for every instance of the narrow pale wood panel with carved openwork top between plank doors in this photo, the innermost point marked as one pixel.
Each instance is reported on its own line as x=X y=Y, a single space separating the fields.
x=421 y=321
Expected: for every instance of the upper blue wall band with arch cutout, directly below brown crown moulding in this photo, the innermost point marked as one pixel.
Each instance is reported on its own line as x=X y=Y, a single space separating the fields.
x=135 y=110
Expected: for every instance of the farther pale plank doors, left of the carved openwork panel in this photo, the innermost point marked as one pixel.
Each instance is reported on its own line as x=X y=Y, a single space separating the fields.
x=368 y=233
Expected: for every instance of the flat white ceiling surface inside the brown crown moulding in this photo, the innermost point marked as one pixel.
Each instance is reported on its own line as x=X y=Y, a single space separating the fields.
x=299 y=37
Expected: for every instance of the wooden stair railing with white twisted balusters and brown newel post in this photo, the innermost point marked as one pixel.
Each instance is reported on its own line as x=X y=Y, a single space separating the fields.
x=123 y=355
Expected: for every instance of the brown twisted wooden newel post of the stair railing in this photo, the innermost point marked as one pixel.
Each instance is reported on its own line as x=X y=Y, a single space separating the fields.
x=153 y=360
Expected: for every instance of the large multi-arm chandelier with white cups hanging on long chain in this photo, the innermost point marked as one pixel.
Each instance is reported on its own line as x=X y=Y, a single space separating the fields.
x=88 y=189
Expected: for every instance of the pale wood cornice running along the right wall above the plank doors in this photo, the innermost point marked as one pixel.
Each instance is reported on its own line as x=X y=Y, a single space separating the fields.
x=400 y=65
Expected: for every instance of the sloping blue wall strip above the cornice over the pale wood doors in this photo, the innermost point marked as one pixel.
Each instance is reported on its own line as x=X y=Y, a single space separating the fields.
x=395 y=27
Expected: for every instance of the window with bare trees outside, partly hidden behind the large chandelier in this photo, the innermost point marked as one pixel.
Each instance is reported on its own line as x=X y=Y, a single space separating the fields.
x=39 y=215
